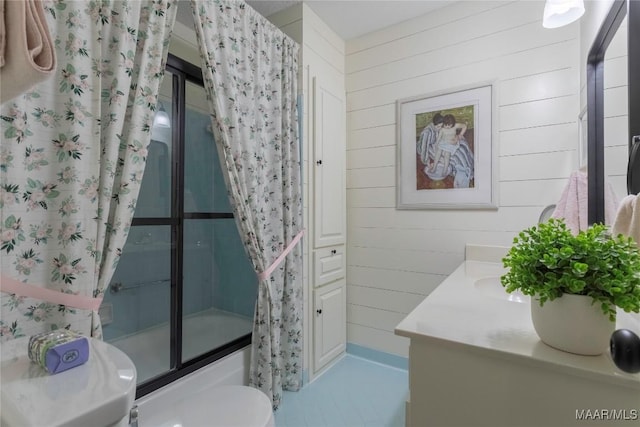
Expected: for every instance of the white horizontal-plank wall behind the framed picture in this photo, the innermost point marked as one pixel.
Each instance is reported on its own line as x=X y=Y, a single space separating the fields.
x=395 y=258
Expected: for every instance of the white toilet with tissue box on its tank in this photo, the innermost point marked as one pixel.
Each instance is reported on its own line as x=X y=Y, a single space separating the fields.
x=101 y=393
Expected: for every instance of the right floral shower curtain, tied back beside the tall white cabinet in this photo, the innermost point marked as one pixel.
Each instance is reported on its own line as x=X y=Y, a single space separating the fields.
x=250 y=72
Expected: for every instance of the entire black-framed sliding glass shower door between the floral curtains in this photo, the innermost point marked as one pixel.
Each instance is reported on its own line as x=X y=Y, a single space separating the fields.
x=184 y=292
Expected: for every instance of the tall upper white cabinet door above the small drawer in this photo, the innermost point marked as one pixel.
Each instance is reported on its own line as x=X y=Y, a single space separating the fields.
x=329 y=137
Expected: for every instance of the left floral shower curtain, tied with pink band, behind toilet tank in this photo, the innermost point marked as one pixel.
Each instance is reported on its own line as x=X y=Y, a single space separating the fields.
x=72 y=156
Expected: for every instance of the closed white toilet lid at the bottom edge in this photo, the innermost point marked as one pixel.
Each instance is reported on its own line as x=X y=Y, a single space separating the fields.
x=216 y=406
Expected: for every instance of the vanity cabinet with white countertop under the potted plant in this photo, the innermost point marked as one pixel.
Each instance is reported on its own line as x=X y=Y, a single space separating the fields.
x=475 y=359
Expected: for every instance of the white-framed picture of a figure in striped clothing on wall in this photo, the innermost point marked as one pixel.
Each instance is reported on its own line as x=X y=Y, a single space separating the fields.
x=445 y=150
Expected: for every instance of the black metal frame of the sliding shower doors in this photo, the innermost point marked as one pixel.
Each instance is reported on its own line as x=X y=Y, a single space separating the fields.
x=182 y=72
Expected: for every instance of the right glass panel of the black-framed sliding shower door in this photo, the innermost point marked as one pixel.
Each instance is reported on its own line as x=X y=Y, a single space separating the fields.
x=219 y=285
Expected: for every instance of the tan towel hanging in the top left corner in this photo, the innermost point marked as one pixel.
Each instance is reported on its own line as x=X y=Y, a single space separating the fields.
x=29 y=55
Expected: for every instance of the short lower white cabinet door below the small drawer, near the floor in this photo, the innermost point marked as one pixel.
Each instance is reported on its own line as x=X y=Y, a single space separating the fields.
x=330 y=323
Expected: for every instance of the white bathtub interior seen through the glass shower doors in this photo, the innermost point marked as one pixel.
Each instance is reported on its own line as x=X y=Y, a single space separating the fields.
x=202 y=331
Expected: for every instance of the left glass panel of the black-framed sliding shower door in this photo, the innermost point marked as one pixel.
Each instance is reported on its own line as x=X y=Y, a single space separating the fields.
x=137 y=305
